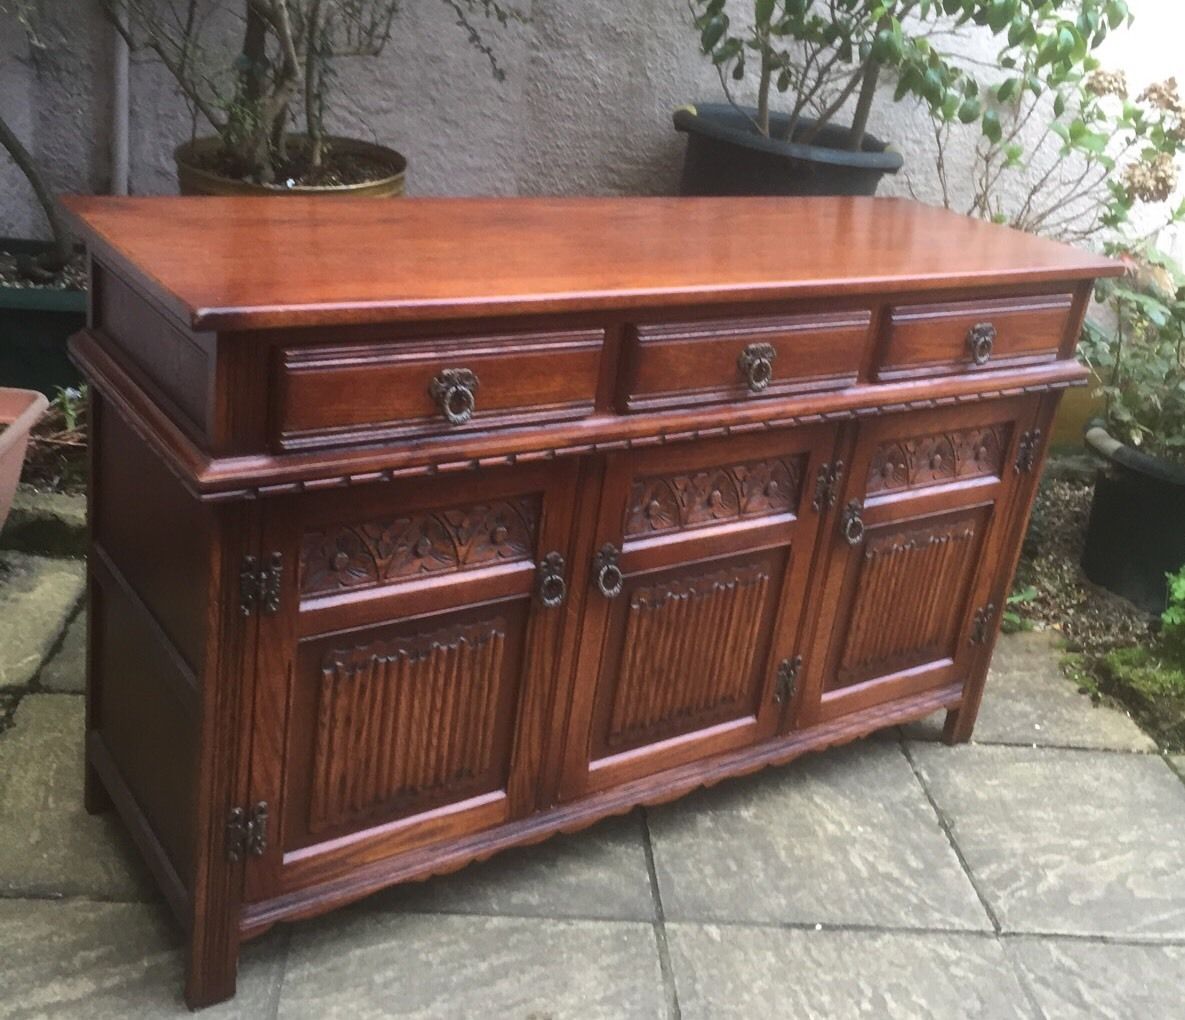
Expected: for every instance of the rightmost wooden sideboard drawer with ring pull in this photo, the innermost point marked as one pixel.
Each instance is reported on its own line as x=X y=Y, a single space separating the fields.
x=962 y=336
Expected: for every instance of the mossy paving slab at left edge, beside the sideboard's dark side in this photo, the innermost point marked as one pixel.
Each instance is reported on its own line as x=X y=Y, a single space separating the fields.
x=49 y=845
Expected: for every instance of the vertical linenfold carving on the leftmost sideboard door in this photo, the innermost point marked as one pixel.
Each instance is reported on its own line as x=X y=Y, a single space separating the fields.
x=405 y=720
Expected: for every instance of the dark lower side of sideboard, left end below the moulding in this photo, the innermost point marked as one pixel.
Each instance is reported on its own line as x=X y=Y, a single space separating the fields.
x=150 y=581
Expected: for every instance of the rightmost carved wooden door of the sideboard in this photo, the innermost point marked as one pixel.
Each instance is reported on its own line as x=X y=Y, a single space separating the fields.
x=915 y=550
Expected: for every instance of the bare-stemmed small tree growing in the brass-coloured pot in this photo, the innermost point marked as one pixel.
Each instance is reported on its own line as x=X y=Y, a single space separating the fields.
x=286 y=63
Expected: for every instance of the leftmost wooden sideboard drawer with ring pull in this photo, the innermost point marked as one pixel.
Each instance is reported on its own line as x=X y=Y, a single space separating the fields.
x=347 y=394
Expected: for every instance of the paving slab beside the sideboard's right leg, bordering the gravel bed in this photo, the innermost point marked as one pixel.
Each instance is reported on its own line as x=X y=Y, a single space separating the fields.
x=1029 y=701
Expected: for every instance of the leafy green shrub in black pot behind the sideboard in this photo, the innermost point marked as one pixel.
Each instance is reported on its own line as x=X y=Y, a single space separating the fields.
x=828 y=55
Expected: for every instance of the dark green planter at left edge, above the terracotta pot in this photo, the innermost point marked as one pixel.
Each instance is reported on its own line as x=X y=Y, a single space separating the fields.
x=35 y=325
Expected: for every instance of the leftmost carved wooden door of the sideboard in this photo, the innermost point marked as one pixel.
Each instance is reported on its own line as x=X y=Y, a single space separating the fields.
x=407 y=675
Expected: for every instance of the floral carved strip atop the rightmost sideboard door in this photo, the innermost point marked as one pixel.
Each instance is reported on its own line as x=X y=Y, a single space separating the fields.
x=932 y=460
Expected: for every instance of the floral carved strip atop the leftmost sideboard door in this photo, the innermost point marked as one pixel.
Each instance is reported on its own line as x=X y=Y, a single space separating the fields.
x=413 y=546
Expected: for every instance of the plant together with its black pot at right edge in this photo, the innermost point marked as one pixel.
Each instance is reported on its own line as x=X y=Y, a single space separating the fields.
x=1137 y=530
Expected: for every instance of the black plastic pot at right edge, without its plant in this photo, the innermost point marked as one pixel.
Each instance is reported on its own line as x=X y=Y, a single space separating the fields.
x=1137 y=530
